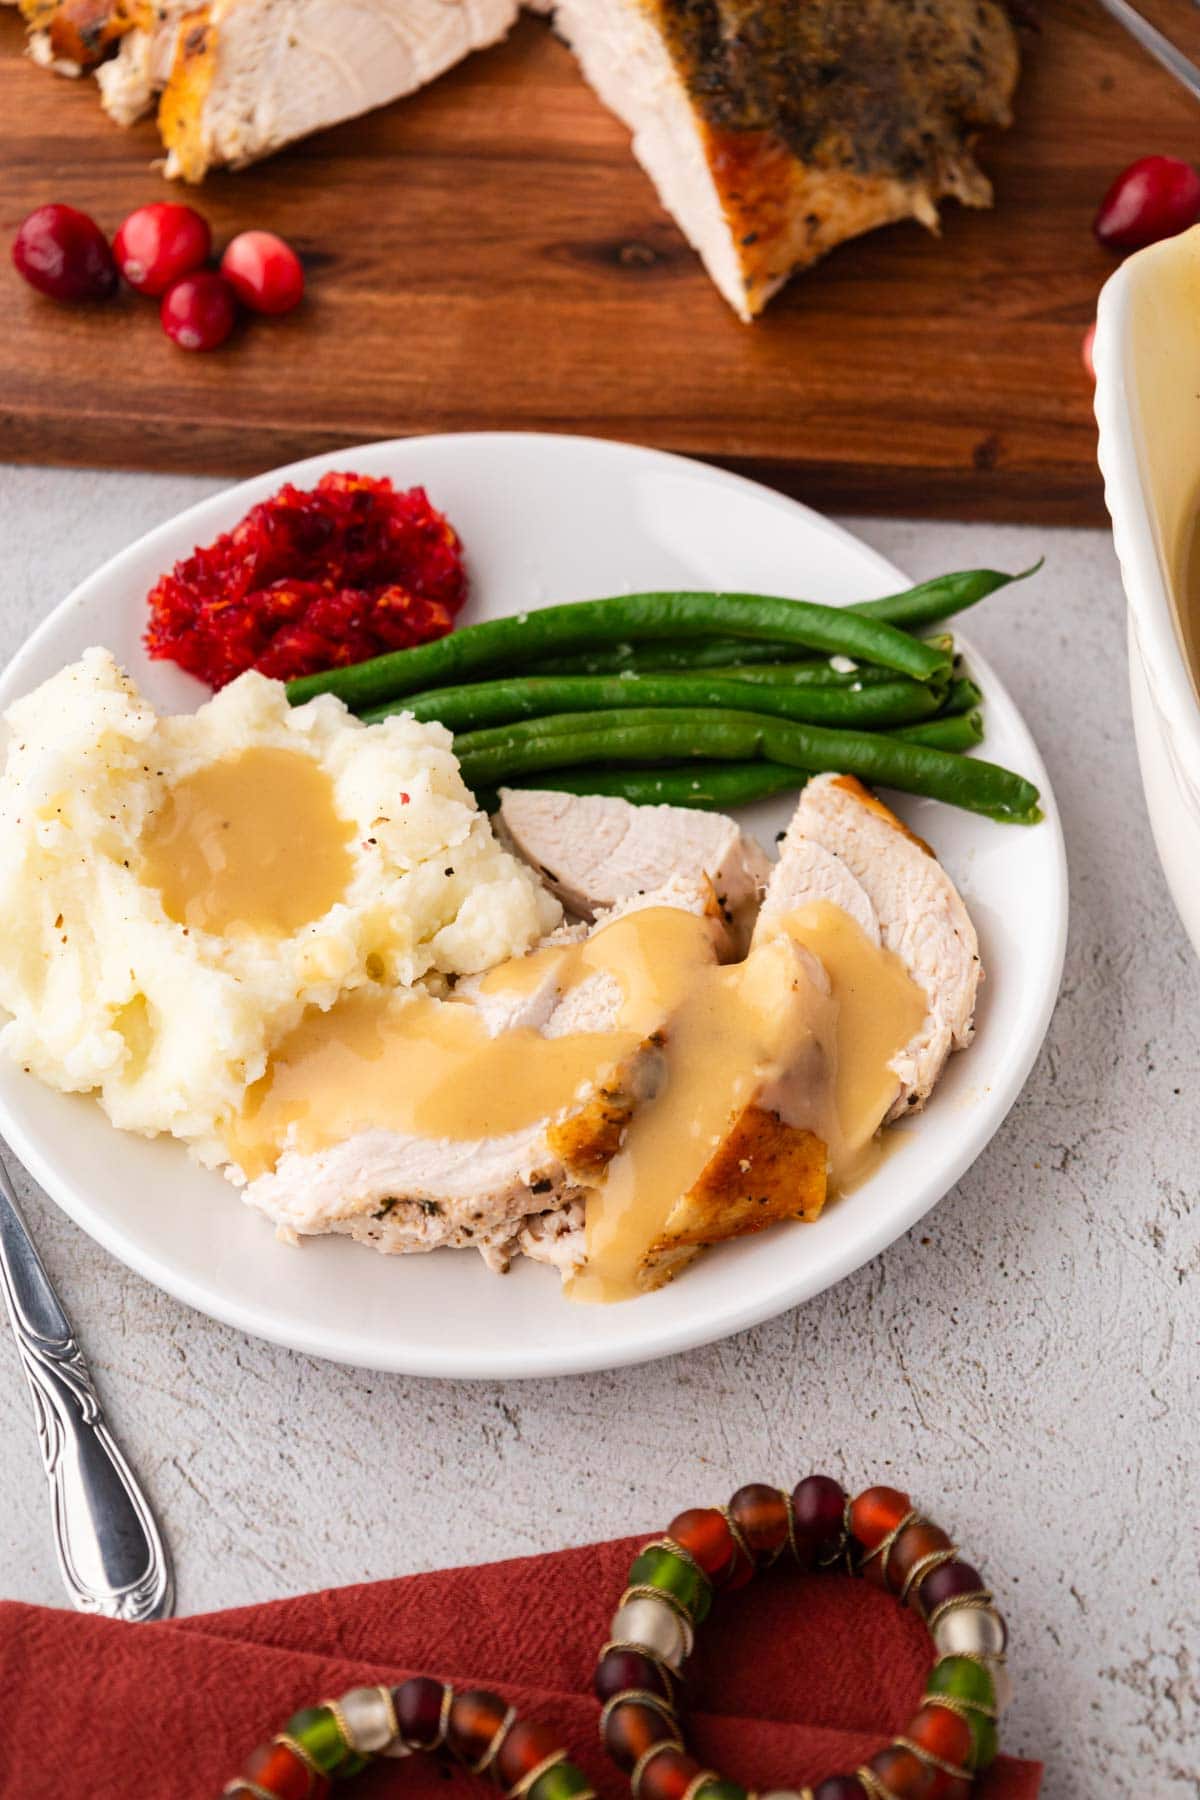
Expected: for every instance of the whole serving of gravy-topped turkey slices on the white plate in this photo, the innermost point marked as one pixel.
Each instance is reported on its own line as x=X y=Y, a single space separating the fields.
x=631 y=1093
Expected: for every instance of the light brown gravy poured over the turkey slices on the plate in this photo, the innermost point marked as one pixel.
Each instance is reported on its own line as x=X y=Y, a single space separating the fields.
x=764 y=1030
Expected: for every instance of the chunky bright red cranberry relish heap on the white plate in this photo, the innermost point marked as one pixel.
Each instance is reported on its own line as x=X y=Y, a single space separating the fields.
x=312 y=580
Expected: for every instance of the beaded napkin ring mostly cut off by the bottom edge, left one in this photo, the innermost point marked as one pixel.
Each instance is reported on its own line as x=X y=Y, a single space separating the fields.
x=339 y=1738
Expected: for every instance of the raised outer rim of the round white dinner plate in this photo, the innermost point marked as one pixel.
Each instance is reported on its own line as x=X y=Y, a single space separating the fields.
x=695 y=1329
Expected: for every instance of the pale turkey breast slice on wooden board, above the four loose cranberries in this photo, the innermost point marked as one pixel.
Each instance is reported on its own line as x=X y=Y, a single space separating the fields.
x=255 y=75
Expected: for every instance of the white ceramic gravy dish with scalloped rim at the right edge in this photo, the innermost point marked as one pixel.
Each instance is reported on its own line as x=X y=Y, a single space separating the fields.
x=1149 y=413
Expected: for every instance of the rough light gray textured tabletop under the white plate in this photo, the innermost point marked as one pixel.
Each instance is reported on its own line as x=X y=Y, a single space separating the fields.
x=1026 y=1362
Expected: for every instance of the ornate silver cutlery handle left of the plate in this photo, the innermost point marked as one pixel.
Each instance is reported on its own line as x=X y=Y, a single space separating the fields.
x=109 y=1545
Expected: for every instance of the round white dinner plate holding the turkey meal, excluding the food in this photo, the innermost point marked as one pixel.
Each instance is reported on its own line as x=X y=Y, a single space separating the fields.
x=551 y=519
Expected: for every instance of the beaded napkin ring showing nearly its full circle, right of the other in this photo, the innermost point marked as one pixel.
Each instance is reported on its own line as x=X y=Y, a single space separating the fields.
x=877 y=1536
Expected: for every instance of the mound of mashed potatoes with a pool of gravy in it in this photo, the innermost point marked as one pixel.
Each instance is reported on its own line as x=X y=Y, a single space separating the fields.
x=175 y=892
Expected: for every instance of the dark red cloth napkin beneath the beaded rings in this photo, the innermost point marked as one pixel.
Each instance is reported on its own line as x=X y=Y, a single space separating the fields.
x=793 y=1680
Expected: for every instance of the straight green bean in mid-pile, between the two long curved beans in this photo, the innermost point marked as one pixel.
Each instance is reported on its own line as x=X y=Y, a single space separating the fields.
x=485 y=705
